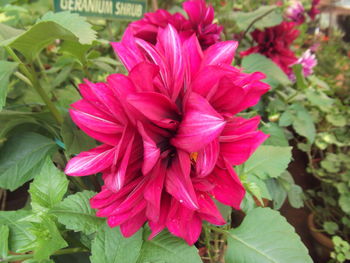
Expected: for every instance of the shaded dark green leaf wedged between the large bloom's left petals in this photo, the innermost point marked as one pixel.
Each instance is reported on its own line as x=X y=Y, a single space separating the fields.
x=74 y=139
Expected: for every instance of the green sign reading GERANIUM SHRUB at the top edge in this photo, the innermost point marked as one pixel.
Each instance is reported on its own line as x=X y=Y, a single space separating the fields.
x=117 y=9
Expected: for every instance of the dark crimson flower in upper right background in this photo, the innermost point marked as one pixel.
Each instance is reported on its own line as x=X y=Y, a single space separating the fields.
x=274 y=43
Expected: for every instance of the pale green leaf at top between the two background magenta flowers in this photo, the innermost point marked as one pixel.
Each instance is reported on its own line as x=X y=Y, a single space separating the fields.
x=264 y=16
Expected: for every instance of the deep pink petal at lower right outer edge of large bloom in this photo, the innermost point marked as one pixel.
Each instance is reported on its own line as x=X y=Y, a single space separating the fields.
x=228 y=188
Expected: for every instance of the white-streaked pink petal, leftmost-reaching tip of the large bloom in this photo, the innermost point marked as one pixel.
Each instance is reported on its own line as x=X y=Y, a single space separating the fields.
x=91 y=162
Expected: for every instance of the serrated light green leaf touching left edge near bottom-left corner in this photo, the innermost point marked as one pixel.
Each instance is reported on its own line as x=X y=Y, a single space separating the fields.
x=20 y=235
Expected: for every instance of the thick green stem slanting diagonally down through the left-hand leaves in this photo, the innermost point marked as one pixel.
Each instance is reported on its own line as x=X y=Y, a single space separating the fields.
x=31 y=75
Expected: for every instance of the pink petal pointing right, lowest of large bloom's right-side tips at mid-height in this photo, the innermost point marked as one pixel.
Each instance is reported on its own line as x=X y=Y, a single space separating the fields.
x=237 y=149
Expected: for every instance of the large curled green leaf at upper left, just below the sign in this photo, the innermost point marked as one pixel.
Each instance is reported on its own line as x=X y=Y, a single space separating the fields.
x=51 y=26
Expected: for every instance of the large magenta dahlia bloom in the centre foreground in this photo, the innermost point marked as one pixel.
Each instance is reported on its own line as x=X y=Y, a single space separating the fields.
x=169 y=134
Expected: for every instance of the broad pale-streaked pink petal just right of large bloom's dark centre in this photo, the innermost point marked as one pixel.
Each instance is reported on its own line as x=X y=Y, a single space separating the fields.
x=201 y=124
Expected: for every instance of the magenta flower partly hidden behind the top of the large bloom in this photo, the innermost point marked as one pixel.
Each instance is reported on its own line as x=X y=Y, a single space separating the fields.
x=199 y=22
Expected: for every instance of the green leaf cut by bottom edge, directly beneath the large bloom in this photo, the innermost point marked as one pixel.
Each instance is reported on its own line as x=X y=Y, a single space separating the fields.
x=167 y=248
